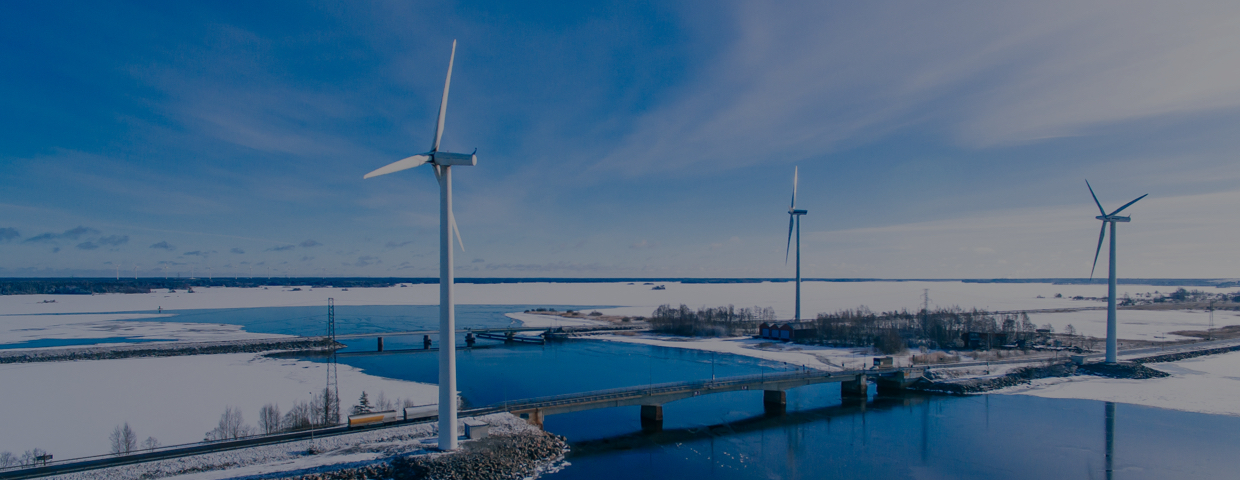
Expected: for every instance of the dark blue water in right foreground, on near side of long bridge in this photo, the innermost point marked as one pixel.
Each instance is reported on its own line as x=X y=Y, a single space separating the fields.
x=924 y=437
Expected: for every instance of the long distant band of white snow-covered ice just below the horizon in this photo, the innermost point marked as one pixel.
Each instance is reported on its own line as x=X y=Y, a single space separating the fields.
x=637 y=300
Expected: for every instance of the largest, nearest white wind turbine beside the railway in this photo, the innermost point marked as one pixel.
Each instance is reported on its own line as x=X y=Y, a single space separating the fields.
x=442 y=164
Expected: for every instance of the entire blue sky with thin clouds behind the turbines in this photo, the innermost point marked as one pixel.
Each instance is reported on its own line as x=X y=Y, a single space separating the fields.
x=626 y=140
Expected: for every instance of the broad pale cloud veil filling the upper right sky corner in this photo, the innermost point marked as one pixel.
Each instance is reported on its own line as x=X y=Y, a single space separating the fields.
x=799 y=82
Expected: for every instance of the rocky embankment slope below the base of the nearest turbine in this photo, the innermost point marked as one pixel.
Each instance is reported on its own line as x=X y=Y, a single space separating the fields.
x=505 y=457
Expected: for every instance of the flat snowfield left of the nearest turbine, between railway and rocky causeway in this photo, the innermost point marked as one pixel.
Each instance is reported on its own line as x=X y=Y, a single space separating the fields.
x=70 y=409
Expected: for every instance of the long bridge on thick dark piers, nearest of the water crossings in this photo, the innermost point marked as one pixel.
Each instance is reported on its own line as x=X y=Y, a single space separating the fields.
x=652 y=399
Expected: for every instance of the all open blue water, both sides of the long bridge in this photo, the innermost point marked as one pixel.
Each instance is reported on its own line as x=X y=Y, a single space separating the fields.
x=819 y=437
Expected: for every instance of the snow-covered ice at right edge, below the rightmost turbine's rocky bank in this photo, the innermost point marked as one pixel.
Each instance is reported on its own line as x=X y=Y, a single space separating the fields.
x=1205 y=385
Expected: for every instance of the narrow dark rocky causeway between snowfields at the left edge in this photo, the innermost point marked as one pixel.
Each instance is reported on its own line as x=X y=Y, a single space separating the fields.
x=162 y=350
